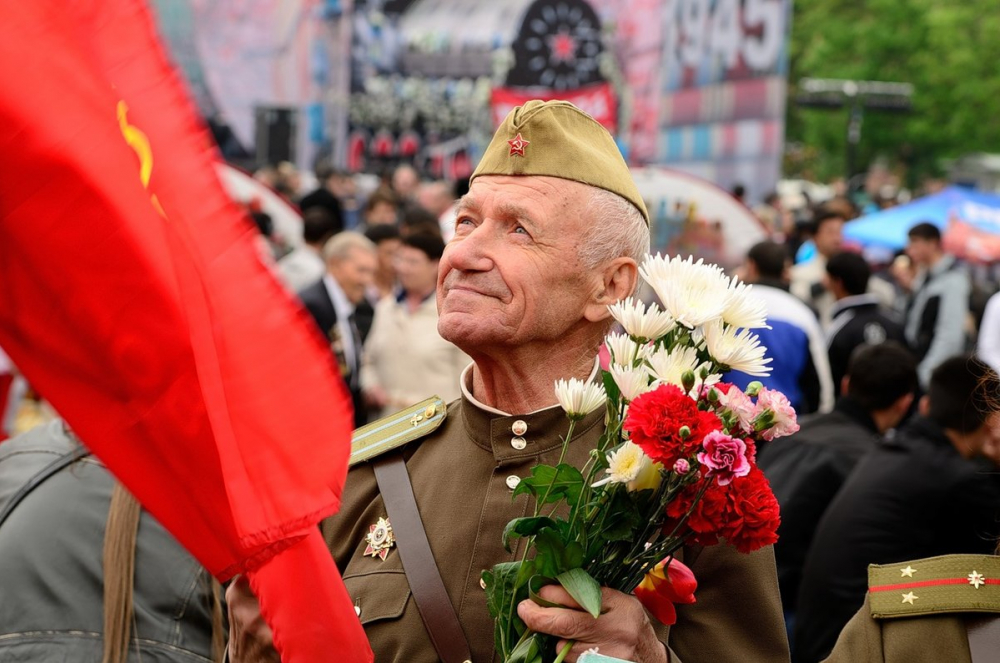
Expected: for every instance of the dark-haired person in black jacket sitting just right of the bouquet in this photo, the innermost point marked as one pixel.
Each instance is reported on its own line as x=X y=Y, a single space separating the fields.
x=807 y=469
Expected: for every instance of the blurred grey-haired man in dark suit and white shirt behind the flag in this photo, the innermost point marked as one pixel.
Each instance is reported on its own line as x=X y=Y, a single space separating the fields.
x=337 y=303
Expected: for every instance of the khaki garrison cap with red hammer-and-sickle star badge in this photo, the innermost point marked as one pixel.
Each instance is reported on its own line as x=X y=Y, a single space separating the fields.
x=557 y=139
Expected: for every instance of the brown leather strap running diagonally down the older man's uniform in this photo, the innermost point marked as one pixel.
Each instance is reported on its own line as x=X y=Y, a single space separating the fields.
x=436 y=610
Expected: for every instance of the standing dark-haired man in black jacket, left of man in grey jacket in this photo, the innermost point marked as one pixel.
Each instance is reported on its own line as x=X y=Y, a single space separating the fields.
x=857 y=317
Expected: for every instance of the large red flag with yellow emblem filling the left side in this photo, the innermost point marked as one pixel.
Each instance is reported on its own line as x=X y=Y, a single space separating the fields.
x=132 y=295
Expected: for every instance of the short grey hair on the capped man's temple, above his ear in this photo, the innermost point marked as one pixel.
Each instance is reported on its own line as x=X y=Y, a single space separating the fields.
x=617 y=228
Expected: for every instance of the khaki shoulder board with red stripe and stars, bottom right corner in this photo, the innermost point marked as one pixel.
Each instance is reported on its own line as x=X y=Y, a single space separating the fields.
x=950 y=583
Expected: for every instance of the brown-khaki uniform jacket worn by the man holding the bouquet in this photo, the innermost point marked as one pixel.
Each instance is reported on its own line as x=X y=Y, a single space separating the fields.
x=462 y=476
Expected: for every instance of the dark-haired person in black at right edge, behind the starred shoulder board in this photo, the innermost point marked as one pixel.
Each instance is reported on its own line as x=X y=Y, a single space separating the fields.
x=927 y=491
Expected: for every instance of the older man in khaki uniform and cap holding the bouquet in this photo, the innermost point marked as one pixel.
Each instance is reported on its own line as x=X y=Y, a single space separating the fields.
x=548 y=236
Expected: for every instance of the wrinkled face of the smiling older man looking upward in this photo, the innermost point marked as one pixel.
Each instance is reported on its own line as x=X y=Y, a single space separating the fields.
x=512 y=274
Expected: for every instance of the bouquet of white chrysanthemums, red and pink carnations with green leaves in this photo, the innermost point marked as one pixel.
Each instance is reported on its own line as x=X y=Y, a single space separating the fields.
x=675 y=464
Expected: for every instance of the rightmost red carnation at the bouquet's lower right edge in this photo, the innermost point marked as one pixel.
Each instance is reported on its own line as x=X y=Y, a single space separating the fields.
x=752 y=514
